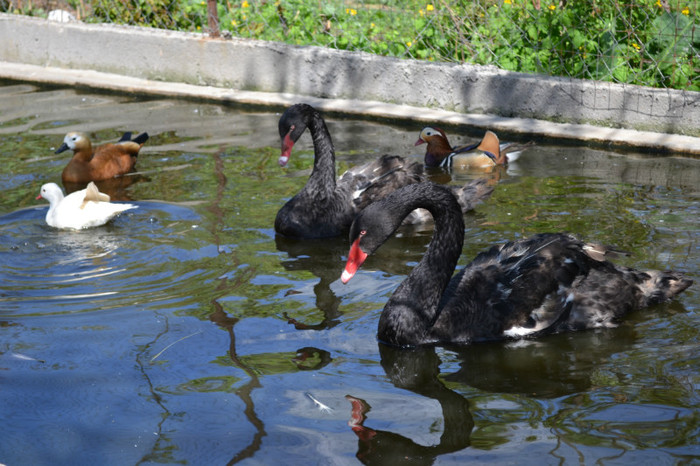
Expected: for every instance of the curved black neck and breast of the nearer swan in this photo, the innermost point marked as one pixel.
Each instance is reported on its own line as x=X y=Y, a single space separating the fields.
x=414 y=307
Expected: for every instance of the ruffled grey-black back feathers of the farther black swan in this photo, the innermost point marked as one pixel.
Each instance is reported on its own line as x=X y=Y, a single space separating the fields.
x=375 y=180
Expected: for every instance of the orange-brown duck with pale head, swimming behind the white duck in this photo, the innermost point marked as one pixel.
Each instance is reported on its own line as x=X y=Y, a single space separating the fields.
x=101 y=162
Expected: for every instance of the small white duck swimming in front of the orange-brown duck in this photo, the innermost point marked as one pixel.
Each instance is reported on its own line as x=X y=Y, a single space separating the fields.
x=81 y=209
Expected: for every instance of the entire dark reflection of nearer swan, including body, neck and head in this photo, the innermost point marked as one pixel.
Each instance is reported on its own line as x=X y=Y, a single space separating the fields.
x=551 y=367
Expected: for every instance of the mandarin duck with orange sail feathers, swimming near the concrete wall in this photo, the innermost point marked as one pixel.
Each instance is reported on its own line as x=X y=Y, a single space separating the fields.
x=484 y=154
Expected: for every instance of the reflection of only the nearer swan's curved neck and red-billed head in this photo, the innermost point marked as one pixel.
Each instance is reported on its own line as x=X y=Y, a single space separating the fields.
x=415 y=370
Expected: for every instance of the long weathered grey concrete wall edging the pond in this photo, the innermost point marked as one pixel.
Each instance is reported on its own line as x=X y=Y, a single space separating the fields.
x=190 y=65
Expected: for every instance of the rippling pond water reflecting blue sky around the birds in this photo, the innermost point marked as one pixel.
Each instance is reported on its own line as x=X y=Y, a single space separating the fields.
x=186 y=332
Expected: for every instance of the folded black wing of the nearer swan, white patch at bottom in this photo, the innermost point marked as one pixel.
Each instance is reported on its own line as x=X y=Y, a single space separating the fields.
x=518 y=290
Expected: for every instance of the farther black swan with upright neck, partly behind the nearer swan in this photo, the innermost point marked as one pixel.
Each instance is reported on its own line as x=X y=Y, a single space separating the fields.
x=324 y=207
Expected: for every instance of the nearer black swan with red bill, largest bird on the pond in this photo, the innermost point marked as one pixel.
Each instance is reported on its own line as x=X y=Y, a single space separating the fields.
x=548 y=283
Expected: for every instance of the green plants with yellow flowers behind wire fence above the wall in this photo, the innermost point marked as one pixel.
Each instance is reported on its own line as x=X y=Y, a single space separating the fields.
x=647 y=42
